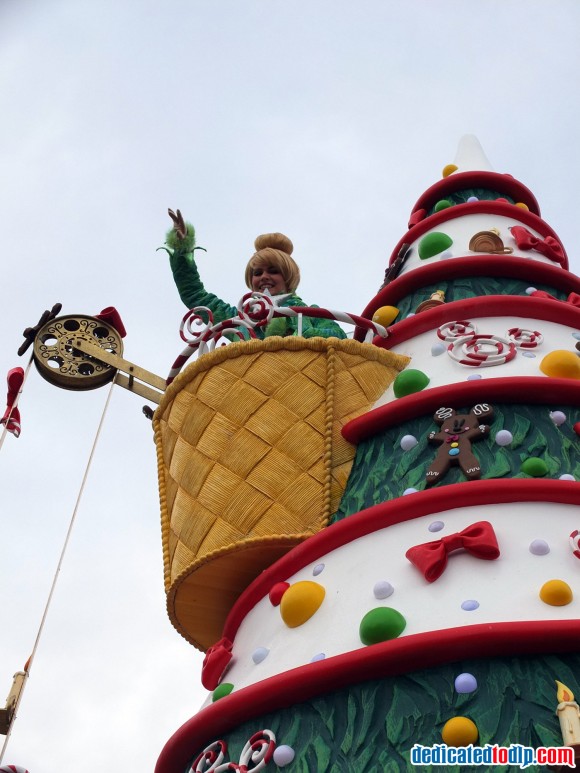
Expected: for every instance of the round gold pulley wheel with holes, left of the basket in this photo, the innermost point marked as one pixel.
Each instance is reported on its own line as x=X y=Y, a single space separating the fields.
x=62 y=364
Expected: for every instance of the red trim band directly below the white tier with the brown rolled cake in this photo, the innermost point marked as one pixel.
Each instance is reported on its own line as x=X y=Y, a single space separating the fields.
x=493 y=265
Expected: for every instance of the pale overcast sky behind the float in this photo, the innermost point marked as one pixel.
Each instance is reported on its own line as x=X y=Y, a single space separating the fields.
x=323 y=120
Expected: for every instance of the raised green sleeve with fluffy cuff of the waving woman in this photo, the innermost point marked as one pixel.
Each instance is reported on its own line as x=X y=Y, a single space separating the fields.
x=187 y=279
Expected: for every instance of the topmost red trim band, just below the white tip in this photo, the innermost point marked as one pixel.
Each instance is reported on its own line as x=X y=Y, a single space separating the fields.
x=460 y=181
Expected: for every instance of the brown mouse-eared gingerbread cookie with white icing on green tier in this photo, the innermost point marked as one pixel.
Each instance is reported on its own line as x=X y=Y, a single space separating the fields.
x=455 y=438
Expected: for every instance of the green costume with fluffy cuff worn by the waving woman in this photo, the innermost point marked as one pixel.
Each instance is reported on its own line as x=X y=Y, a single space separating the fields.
x=193 y=293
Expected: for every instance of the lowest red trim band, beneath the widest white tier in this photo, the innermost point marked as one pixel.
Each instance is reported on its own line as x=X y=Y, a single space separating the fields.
x=408 y=653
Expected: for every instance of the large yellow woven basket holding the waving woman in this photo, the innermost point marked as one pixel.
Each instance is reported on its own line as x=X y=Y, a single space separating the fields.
x=252 y=461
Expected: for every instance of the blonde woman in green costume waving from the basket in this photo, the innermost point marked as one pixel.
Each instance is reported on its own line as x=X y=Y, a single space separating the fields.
x=271 y=269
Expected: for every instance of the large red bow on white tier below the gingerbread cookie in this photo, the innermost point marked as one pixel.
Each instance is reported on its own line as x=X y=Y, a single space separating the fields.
x=431 y=558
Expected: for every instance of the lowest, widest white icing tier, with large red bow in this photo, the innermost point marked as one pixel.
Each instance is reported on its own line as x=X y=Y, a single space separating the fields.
x=506 y=588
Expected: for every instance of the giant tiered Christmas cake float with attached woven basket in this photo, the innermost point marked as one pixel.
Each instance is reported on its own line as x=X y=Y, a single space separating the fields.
x=377 y=543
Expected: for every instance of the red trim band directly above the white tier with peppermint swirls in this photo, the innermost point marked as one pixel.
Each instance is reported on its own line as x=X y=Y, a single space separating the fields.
x=548 y=309
